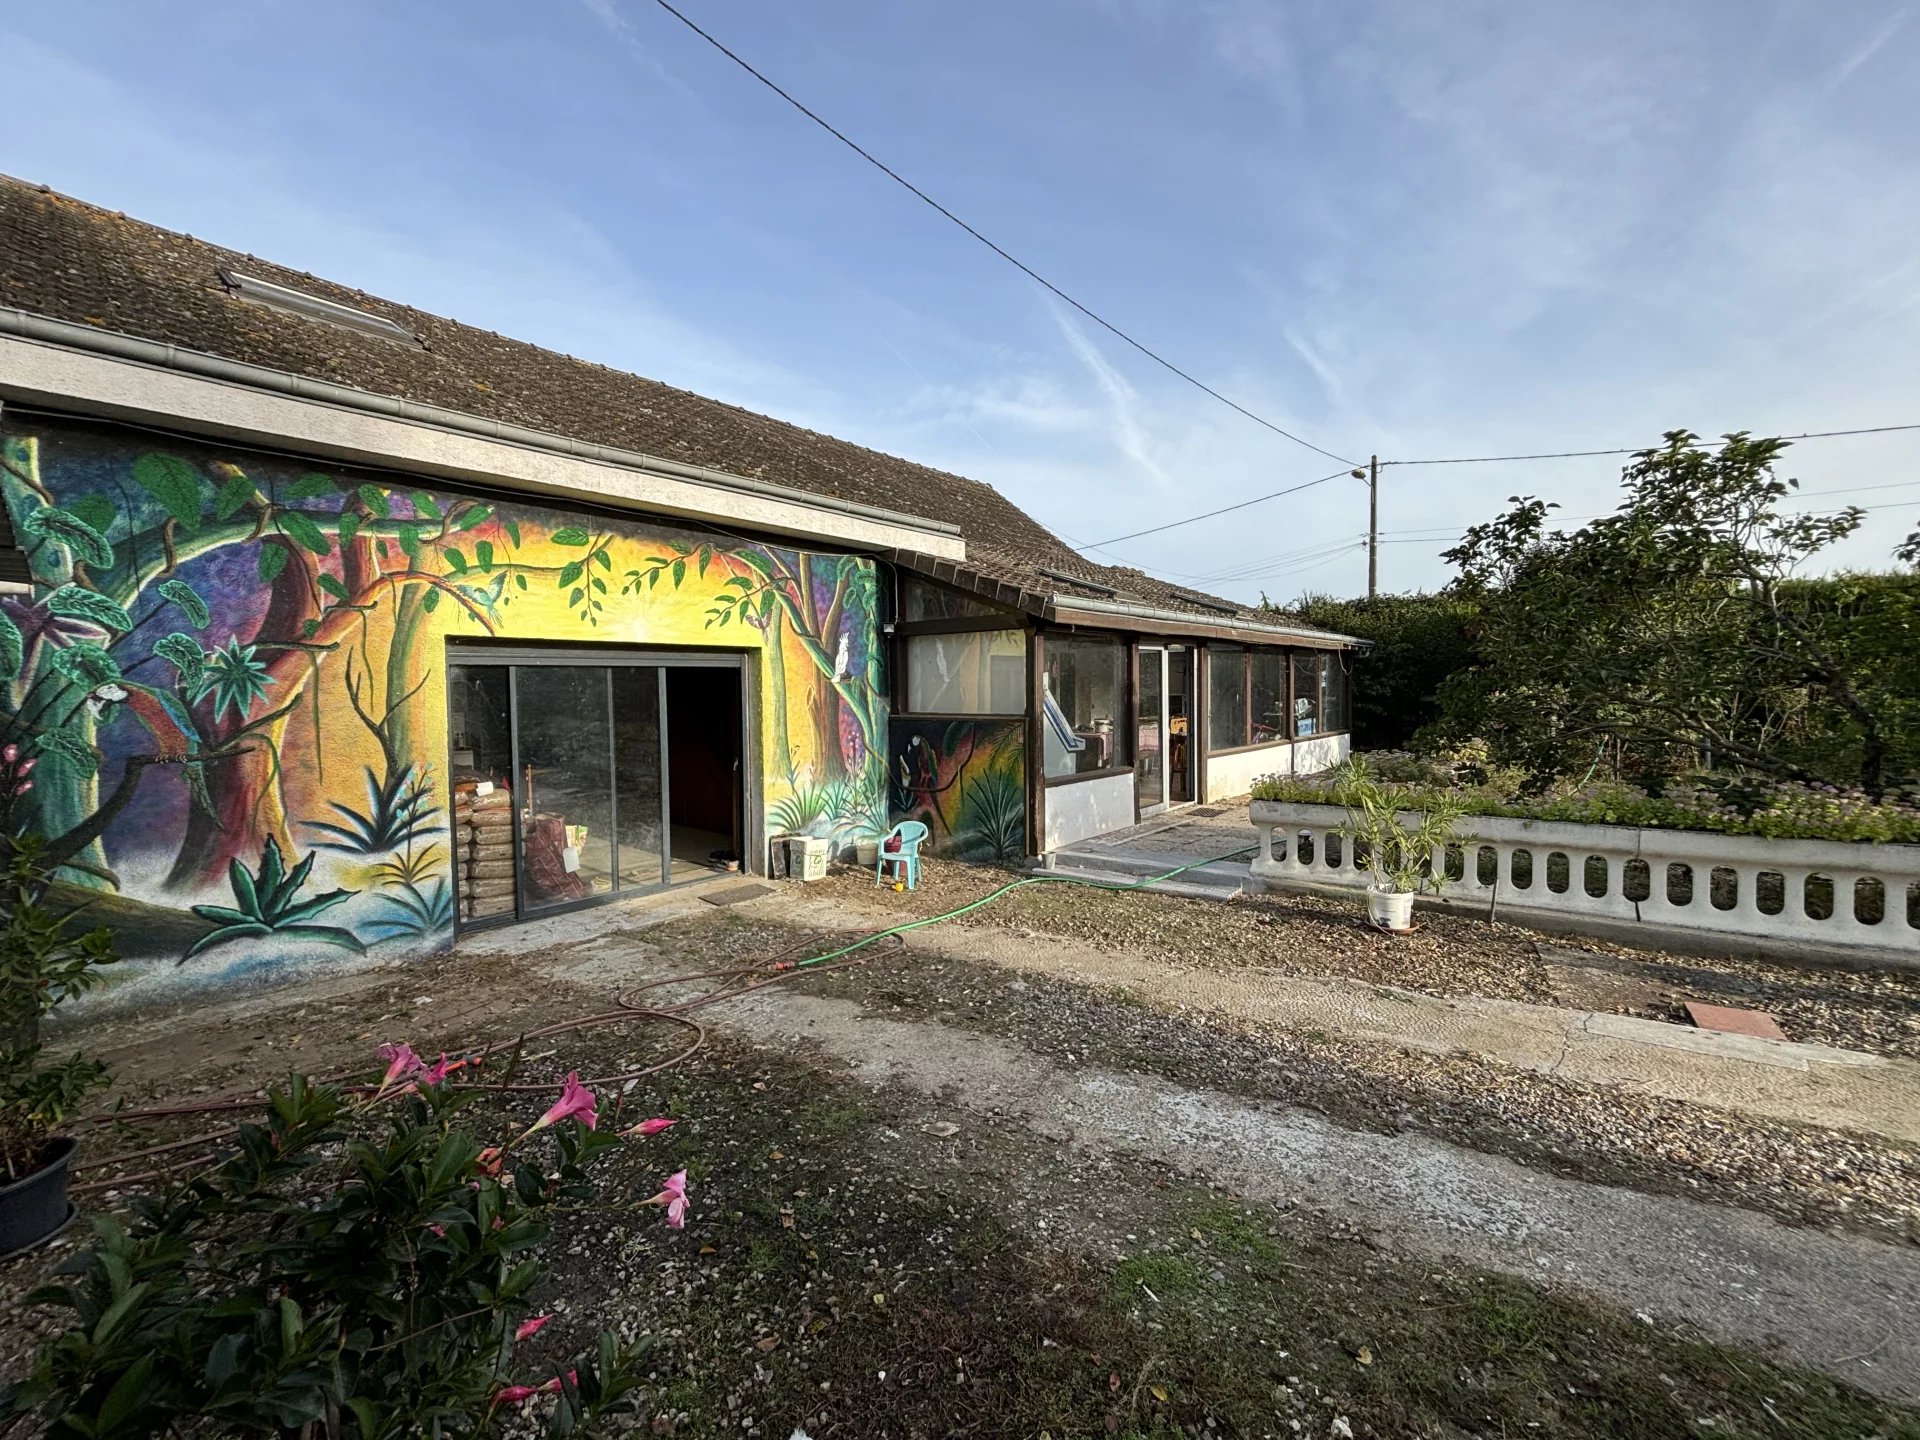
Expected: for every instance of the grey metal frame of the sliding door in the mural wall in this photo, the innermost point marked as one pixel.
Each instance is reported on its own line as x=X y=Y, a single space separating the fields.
x=514 y=658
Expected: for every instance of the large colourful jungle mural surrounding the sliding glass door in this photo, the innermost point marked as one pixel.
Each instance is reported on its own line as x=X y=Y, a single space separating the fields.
x=226 y=711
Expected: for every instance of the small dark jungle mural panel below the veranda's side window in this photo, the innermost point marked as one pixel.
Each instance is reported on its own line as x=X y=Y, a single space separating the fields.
x=967 y=782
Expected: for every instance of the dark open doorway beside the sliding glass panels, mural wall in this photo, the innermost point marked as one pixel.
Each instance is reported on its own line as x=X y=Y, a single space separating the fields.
x=704 y=771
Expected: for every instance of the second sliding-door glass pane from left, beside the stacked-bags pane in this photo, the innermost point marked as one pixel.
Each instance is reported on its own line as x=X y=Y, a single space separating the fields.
x=565 y=782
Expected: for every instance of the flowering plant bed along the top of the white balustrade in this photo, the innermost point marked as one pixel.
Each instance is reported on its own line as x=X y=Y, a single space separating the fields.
x=1717 y=804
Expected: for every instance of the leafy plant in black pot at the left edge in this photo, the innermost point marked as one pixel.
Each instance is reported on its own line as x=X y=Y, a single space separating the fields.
x=41 y=967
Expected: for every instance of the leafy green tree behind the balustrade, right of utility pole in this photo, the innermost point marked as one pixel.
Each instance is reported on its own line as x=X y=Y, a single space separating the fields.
x=1669 y=631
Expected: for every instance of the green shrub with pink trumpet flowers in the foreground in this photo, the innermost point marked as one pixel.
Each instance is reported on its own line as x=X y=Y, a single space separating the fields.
x=354 y=1268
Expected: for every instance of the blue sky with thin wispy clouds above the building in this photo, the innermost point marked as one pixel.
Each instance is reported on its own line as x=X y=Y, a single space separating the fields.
x=1391 y=226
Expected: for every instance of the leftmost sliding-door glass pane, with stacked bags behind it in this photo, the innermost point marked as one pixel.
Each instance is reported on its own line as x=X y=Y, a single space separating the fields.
x=479 y=723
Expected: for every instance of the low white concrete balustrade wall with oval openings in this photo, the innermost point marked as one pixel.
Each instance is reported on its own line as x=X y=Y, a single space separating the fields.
x=1610 y=880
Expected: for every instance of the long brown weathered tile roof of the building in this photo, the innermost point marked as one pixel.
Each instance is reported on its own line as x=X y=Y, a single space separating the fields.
x=76 y=262
